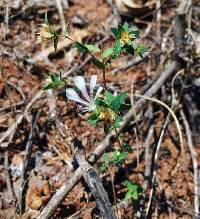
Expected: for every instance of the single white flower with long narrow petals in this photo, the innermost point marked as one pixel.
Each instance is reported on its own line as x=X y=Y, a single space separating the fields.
x=88 y=103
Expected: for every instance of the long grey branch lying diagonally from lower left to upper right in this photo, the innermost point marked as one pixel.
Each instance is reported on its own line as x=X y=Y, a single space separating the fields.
x=61 y=193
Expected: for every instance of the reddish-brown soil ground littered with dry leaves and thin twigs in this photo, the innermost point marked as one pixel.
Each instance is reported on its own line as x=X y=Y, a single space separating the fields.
x=168 y=172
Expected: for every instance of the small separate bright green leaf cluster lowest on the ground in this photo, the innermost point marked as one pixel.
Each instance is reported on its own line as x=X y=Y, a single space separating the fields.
x=133 y=190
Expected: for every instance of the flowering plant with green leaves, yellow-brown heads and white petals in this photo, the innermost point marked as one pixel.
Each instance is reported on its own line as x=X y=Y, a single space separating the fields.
x=103 y=106
